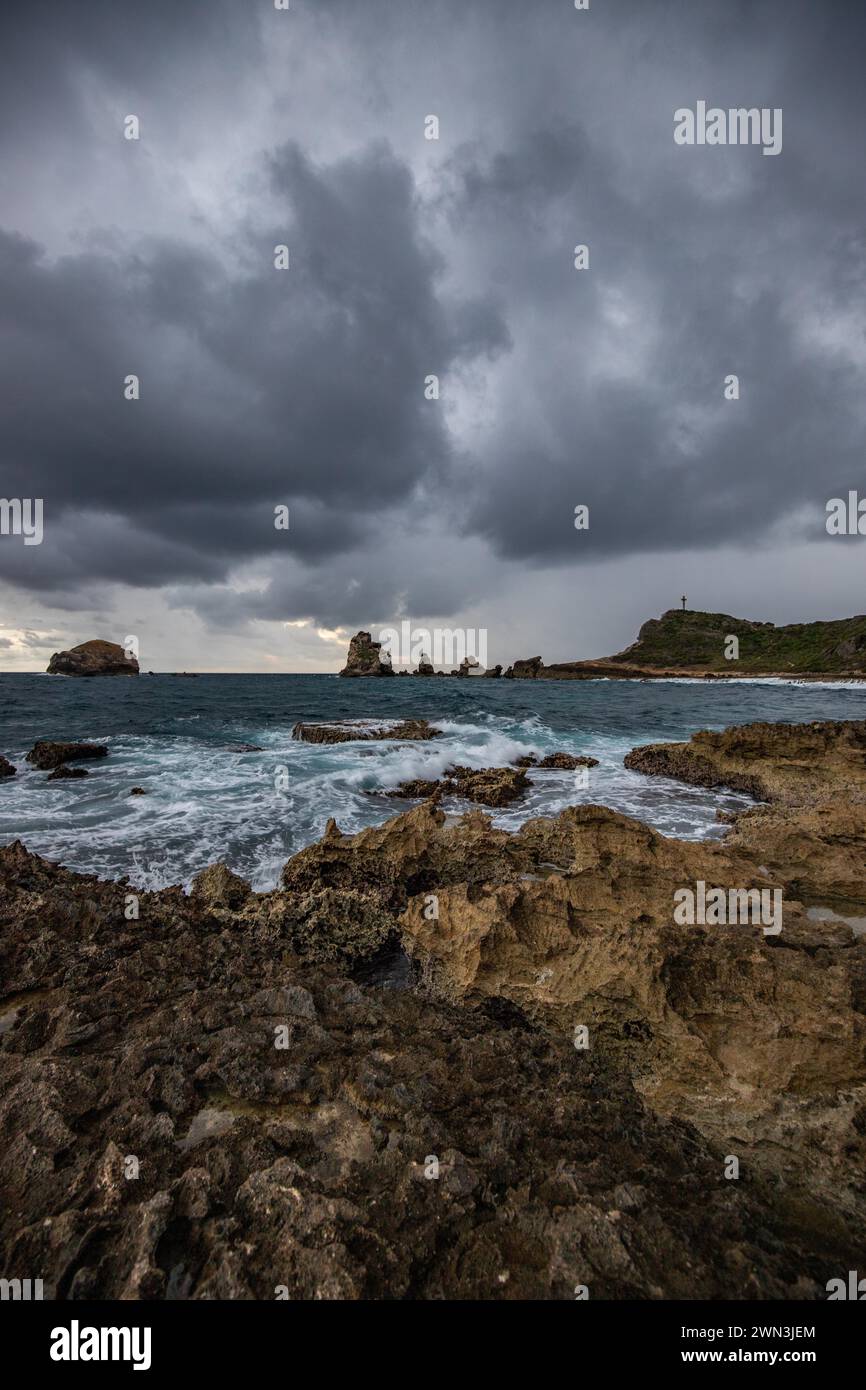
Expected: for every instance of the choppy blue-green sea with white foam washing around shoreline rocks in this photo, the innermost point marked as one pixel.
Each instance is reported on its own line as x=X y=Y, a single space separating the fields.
x=254 y=810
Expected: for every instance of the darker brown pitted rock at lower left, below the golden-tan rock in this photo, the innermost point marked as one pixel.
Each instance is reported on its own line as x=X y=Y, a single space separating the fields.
x=158 y=1143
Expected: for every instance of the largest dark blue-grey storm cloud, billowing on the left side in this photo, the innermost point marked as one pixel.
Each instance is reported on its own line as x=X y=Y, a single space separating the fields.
x=258 y=387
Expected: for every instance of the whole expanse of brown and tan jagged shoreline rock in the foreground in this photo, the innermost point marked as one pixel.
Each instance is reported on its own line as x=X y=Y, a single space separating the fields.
x=226 y=1095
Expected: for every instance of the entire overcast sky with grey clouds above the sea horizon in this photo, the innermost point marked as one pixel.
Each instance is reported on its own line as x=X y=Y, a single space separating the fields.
x=412 y=258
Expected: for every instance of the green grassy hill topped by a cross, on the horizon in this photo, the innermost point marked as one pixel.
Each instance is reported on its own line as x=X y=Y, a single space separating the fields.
x=698 y=640
